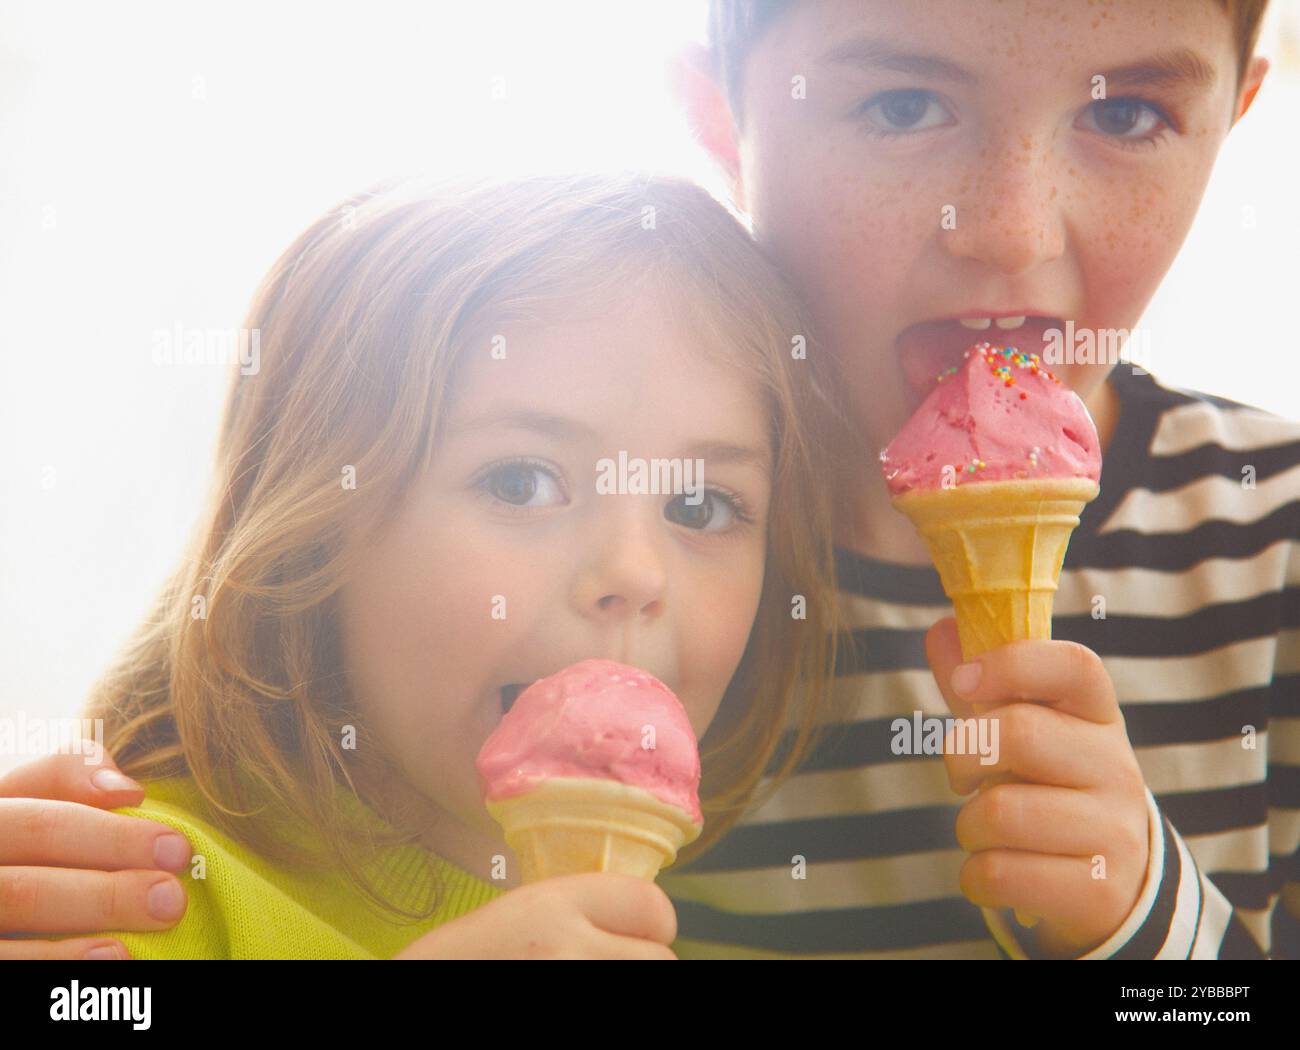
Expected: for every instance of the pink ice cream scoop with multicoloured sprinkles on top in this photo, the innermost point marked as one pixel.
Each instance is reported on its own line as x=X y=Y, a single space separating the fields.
x=999 y=416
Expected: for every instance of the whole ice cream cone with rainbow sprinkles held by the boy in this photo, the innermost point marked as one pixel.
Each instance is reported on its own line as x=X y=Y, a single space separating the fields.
x=1029 y=459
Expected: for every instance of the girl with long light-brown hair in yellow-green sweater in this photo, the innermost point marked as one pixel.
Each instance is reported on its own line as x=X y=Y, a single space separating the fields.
x=405 y=528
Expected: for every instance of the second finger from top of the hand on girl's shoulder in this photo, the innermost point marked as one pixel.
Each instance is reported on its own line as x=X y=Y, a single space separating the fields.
x=40 y=834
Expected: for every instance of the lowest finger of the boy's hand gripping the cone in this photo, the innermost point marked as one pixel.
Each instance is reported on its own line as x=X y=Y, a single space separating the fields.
x=1059 y=888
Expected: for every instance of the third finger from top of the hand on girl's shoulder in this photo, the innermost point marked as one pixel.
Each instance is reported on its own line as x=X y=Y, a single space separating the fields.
x=42 y=901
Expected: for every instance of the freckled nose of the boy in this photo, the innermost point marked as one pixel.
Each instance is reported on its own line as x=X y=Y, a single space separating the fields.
x=1012 y=219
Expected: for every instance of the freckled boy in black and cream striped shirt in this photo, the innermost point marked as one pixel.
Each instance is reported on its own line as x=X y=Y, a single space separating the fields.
x=933 y=175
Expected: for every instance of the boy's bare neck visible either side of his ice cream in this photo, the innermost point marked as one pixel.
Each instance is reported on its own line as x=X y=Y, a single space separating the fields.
x=873 y=528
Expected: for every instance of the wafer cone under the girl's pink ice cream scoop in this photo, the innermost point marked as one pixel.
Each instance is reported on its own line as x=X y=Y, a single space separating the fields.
x=570 y=826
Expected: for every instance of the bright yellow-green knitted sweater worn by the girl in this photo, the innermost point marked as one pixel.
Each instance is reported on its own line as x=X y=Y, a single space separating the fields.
x=249 y=909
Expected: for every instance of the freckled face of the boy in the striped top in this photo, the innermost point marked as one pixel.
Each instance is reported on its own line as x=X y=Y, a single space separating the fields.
x=1059 y=206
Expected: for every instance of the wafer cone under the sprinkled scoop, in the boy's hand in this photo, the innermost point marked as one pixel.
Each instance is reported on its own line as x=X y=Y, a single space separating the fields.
x=999 y=548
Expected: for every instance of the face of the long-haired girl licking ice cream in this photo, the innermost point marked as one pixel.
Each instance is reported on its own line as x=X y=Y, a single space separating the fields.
x=510 y=509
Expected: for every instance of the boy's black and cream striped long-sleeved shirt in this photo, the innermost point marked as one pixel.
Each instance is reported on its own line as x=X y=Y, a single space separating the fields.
x=1193 y=548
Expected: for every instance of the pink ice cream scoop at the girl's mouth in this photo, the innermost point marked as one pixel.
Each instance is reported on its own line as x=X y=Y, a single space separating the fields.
x=593 y=721
